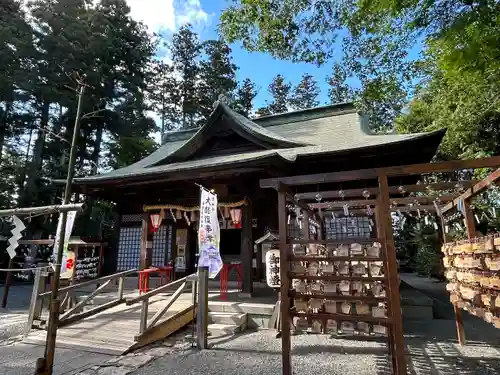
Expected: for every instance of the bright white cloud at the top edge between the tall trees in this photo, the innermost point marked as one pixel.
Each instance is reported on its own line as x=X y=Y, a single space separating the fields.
x=168 y=15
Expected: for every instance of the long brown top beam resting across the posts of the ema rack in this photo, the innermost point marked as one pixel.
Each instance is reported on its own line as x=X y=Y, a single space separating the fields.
x=372 y=173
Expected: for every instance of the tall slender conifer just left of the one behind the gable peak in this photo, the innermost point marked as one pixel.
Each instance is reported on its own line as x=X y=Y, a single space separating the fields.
x=186 y=50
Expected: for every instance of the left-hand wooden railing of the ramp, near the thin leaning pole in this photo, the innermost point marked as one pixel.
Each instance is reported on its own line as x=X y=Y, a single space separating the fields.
x=74 y=312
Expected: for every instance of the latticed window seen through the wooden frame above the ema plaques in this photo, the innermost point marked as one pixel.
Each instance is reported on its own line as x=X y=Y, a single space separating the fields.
x=347 y=227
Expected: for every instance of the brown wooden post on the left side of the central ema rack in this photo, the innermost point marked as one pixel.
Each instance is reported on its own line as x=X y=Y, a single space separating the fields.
x=286 y=342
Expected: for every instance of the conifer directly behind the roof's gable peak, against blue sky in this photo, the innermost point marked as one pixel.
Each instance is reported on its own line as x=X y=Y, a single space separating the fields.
x=217 y=75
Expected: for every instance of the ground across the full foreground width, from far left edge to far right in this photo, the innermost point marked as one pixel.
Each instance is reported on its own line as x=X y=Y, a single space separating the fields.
x=431 y=345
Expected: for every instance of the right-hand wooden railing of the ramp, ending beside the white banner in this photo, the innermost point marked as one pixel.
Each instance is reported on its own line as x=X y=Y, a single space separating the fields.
x=145 y=300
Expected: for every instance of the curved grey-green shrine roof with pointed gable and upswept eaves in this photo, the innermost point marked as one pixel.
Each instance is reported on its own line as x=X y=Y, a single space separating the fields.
x=285 y=137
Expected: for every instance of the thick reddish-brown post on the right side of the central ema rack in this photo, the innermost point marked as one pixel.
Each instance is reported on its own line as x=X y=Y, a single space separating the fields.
x=392 y=274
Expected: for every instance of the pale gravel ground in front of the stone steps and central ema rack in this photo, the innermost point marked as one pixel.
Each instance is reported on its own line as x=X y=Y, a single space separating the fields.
x=431 y=346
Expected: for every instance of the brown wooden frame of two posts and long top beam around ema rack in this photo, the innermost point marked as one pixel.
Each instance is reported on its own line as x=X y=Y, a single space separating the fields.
x=284 y=187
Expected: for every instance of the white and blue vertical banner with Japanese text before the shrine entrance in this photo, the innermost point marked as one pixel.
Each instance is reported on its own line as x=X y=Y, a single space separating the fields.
x=209 y=234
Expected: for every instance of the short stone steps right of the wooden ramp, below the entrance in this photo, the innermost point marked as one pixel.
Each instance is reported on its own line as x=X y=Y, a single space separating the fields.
x=225 y=319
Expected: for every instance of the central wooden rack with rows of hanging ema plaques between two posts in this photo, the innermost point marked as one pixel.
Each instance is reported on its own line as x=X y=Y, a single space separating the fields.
x=342 y=287
